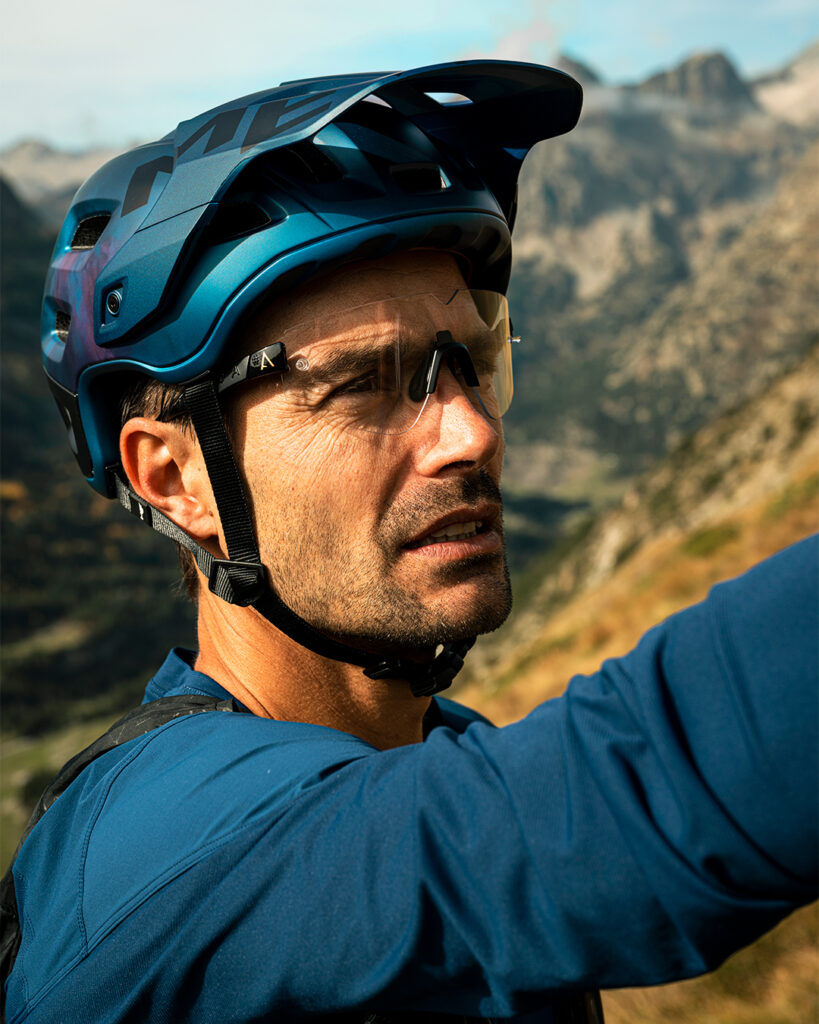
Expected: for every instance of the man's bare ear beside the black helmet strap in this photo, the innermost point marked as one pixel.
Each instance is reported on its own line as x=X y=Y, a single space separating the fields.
x=165 y=466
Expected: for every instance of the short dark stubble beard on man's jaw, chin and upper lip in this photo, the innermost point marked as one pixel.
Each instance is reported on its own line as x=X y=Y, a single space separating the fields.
x=362 y=602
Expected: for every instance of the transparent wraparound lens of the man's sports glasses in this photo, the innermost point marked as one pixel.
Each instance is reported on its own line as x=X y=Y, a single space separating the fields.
x=358 y=369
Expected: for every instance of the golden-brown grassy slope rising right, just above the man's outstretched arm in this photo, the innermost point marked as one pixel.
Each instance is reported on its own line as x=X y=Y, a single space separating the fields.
x=737 y=491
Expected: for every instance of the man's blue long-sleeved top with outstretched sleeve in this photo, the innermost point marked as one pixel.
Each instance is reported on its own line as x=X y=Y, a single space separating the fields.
x=654 y=820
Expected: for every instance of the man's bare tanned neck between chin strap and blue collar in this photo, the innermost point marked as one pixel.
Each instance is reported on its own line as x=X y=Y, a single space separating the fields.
x=277 y=678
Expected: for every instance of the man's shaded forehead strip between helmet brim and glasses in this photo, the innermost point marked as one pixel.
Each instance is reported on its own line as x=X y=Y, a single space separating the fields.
x=365 y=287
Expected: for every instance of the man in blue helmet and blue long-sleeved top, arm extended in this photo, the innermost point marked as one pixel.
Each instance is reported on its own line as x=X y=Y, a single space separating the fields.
x=280 y=336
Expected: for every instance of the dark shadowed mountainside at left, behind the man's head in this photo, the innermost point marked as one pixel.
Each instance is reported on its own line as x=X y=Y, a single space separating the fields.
x=84 y=588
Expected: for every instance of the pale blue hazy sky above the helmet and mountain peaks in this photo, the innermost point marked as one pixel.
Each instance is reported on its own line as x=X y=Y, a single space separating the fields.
x=93 y=73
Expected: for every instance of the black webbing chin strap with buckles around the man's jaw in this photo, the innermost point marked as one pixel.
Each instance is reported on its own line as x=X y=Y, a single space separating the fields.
x=241 y=579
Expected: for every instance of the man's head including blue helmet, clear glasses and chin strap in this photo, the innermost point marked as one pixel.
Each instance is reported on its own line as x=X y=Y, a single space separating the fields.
x=329 y=236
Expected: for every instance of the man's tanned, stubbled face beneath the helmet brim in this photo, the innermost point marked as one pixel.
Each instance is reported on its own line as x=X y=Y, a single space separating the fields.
x=390 y=540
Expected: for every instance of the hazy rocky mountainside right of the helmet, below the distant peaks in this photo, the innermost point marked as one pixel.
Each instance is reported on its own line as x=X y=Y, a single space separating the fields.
x=648 y=236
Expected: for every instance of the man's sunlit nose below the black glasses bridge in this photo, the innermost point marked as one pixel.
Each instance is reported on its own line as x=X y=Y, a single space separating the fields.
x=454 y=432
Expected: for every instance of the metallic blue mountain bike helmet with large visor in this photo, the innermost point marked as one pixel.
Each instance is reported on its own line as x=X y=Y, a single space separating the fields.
x=168 y=248
